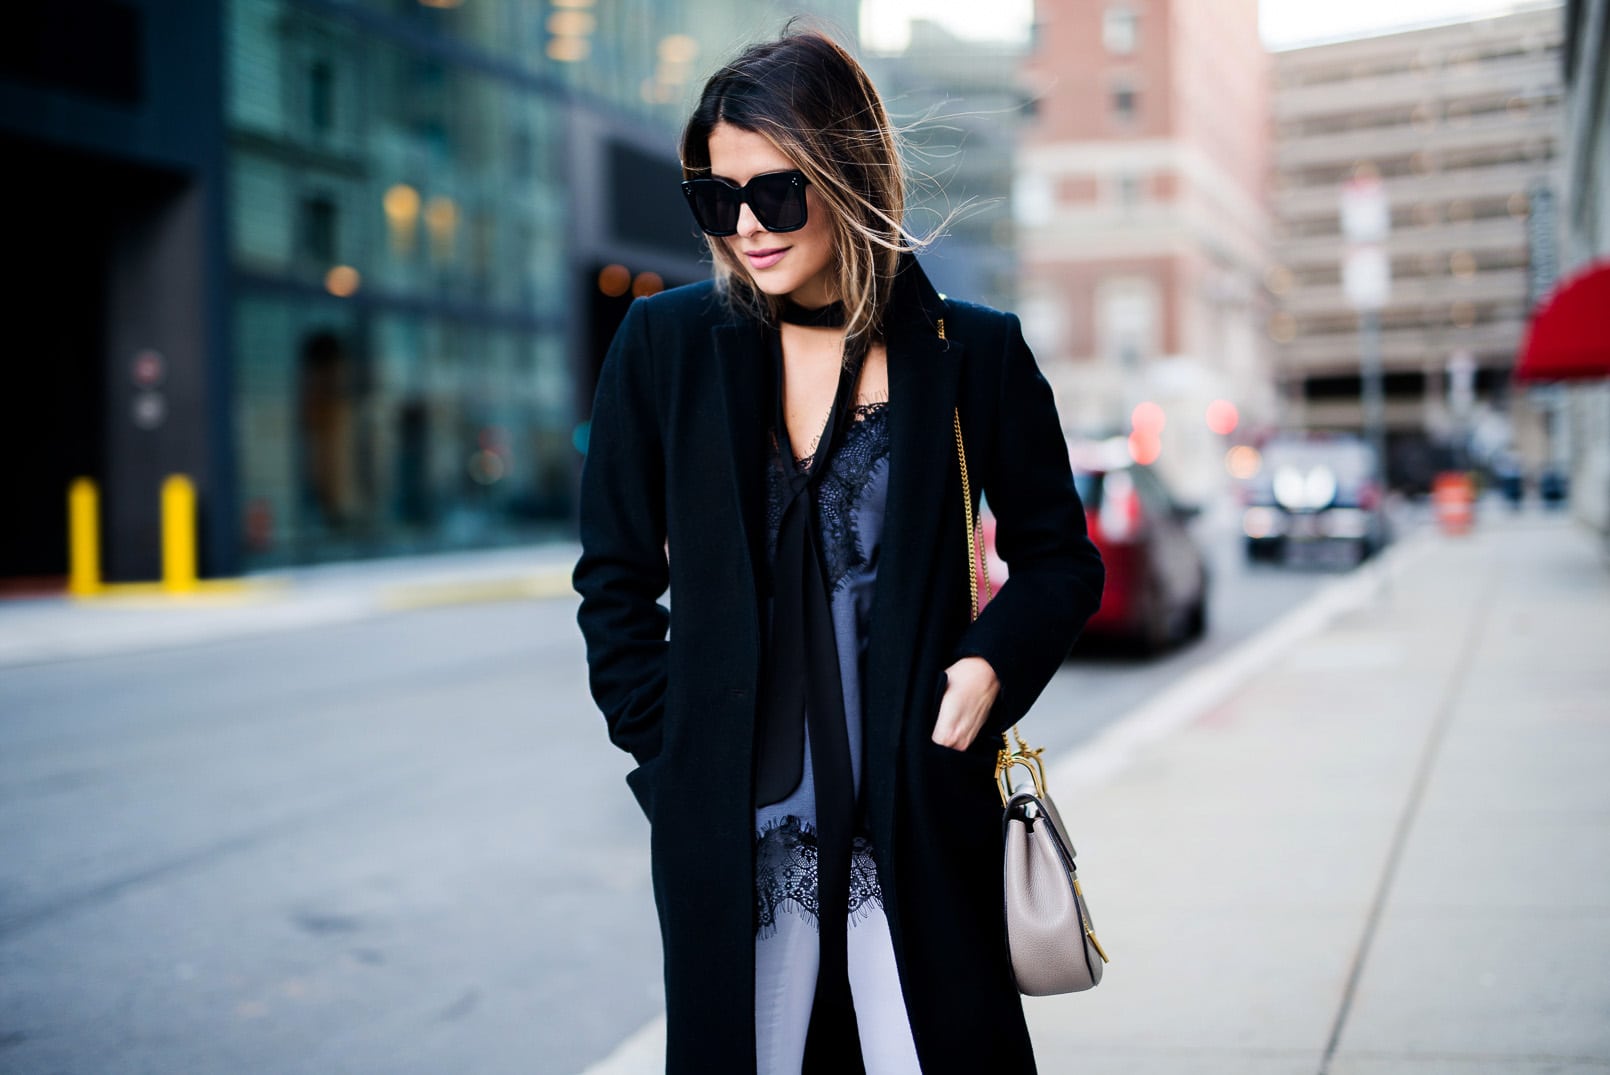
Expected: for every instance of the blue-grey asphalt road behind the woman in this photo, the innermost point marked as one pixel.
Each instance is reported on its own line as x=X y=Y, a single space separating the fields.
x=397 y=846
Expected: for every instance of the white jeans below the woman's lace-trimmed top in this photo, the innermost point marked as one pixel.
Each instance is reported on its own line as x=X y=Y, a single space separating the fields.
x=786 y=986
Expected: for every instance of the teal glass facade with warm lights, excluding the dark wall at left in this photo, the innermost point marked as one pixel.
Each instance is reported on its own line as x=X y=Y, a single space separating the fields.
x=416 y=316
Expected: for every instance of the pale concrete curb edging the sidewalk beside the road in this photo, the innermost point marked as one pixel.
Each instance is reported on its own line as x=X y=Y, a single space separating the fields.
x=1113 y=751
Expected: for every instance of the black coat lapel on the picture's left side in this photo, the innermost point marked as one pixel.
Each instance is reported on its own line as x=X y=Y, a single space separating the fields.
x=748 y=400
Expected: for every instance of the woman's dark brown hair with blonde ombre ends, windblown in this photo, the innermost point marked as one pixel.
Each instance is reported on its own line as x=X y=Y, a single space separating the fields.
x=814 y=102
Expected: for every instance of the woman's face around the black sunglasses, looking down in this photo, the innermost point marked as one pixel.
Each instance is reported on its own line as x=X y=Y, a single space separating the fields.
x=795 y=265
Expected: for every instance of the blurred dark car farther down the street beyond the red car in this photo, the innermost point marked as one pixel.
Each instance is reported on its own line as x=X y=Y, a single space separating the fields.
x=1315 y=492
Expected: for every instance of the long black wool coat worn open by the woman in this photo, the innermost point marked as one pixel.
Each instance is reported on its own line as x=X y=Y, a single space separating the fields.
x=677 y=455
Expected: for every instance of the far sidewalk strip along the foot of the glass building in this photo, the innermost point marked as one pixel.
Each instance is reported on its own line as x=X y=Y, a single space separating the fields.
x=60 y=628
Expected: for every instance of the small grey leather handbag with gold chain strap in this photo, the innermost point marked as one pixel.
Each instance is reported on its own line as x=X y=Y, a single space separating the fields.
x=1049 y=934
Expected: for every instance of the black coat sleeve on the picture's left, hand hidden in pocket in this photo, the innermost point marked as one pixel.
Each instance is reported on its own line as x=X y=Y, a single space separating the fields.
x=624 y=570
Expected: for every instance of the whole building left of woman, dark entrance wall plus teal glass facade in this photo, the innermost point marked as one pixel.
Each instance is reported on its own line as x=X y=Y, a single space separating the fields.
x=349 y=265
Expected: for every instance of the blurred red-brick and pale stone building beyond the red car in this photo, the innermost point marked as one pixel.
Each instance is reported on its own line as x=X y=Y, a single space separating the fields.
x=1142 y=218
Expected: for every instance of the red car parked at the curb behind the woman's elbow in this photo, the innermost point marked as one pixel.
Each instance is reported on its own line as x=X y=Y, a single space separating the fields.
x=1157 y=579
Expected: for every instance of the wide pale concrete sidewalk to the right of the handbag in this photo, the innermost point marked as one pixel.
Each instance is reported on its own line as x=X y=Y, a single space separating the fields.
x=1387 y=852
